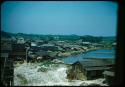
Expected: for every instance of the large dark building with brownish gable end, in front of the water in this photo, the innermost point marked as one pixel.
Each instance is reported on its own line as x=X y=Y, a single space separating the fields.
x=89 y=69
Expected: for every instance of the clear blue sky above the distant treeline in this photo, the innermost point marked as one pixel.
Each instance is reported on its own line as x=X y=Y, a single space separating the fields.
x=97 y=18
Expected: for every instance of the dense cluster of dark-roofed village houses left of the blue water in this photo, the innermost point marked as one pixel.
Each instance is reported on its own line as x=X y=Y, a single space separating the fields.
x=27 y=50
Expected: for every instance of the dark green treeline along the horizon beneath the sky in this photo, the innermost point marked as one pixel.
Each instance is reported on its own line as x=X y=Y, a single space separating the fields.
x=85 y=38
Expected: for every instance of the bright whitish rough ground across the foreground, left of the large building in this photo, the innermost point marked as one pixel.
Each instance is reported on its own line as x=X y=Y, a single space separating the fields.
x=28 y=75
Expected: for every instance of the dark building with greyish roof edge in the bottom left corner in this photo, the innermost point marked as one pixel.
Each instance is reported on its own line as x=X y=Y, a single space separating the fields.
x=7 y=69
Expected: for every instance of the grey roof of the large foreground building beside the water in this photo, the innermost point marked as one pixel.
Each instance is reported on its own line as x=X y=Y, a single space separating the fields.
x=97 y=64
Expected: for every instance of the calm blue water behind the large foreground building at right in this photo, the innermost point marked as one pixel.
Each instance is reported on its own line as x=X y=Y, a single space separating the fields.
x=101 y=53
